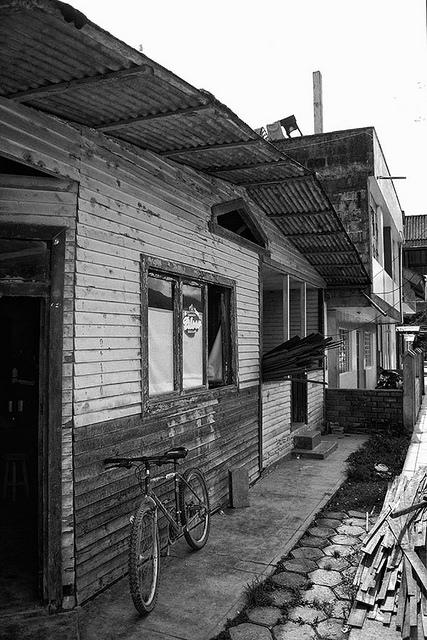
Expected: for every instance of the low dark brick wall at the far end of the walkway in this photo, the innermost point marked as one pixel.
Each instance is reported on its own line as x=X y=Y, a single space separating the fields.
x=365 y=409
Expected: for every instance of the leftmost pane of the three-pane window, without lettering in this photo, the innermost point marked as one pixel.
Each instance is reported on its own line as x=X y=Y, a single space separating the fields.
x=160 y=336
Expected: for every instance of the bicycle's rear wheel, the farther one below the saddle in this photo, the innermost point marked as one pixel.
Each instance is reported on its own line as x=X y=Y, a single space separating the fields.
x=194 y=505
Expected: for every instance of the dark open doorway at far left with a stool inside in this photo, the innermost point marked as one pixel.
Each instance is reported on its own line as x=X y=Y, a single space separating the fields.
x=20 y=551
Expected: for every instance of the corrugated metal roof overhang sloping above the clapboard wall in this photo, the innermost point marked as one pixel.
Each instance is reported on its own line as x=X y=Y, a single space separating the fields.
x=57 y=61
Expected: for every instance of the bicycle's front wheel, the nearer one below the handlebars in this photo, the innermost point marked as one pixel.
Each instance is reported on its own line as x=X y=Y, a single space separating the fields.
x=144 y=559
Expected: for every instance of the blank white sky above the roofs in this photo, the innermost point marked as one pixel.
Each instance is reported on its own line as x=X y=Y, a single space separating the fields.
x=258 y=57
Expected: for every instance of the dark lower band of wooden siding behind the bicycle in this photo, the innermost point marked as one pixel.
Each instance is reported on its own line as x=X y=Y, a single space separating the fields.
x=221 y=432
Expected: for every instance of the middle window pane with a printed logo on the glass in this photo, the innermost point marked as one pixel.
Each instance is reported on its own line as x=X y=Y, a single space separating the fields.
x=192 y=337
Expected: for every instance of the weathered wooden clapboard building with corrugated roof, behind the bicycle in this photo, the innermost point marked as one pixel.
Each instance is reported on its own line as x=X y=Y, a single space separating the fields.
x=140 y=223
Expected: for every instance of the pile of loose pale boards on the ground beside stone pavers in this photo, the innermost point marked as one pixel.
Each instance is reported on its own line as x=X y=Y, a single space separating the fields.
x=391 y=578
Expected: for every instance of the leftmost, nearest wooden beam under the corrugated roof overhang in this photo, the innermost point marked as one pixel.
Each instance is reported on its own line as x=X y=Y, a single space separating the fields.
x=61 y=87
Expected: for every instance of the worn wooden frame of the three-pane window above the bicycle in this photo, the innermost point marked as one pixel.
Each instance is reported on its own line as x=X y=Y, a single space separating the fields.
x=184 y=274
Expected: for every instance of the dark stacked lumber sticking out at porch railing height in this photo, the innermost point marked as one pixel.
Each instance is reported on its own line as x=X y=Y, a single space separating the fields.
x=295 y=356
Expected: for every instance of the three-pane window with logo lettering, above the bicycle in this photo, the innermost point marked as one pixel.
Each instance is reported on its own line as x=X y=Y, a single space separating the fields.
x=189 y=329
